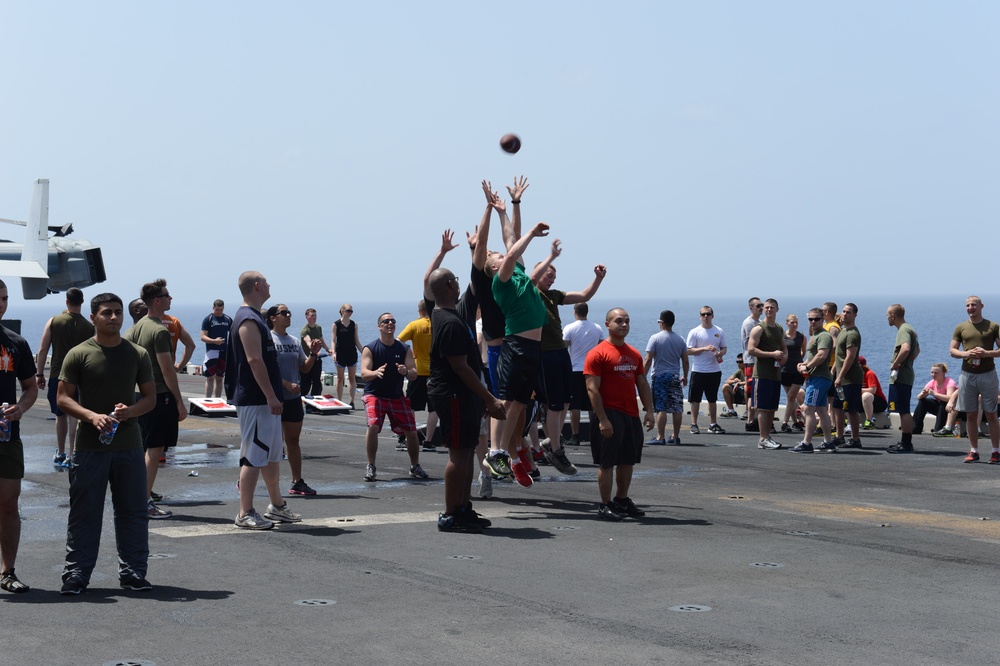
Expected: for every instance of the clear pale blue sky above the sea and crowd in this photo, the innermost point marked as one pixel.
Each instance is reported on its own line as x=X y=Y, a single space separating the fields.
x=693 y=147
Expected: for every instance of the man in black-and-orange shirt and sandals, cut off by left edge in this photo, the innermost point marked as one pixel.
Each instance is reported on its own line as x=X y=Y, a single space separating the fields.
x=18 y=366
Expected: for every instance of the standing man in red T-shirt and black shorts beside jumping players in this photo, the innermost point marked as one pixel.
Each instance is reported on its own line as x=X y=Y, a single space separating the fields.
x=614 y=371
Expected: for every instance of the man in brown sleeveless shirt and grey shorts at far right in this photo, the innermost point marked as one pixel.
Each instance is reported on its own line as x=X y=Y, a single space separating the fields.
x=975 y=342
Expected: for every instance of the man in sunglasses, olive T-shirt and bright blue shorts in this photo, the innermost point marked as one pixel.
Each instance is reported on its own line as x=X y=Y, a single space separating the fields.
x=817 y=368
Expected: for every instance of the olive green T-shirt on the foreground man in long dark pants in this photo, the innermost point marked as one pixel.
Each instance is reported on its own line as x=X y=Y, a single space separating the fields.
x=106 y=376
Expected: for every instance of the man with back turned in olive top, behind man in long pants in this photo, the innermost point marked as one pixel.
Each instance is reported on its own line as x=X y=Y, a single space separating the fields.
x=62 y=333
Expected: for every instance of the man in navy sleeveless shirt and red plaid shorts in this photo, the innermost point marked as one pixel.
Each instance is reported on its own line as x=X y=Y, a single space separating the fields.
x=385 y=361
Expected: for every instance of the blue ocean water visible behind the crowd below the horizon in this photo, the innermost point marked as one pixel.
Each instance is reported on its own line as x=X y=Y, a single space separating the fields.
x=933 y=317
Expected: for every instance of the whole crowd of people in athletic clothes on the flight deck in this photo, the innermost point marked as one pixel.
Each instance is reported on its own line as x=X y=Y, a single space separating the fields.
x=491 y=364
